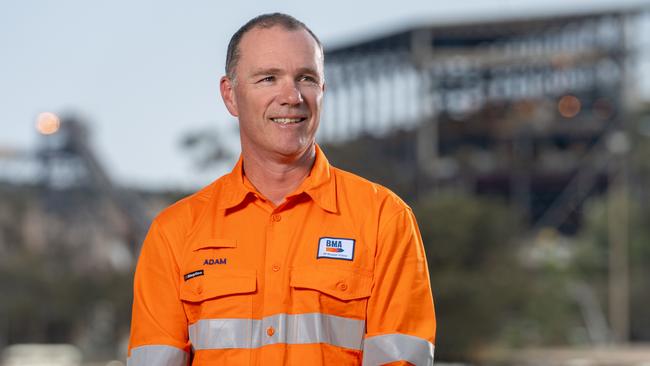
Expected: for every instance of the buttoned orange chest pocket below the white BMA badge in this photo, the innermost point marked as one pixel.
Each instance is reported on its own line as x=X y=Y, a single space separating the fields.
x=331 y=290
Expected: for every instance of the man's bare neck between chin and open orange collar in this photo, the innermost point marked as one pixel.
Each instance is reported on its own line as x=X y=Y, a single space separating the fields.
x=276 y=178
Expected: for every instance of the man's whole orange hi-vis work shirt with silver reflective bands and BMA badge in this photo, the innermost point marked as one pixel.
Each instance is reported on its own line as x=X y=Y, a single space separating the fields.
x=335 y=275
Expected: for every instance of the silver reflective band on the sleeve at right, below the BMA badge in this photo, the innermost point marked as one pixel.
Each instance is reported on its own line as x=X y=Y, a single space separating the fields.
x=386 y=348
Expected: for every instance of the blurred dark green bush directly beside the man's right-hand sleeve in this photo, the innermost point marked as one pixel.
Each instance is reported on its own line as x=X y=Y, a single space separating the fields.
x=469 y=244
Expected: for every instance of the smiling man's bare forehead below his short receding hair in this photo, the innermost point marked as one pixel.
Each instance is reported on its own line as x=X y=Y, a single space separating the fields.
x=279 y=47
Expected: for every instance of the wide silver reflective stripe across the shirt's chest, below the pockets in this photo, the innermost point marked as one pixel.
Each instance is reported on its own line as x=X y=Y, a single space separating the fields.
x=287 y=328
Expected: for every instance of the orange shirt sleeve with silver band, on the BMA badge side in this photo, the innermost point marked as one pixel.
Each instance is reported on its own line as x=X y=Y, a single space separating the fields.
x=400 y=322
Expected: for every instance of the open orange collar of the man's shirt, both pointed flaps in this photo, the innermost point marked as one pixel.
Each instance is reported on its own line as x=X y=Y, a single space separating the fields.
x=320 y=185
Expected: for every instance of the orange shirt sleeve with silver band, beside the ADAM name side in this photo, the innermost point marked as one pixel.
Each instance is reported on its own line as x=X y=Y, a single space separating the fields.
x=159 y=334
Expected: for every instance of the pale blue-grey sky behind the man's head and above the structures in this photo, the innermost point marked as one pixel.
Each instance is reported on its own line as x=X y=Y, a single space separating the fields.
x=143 y=73
